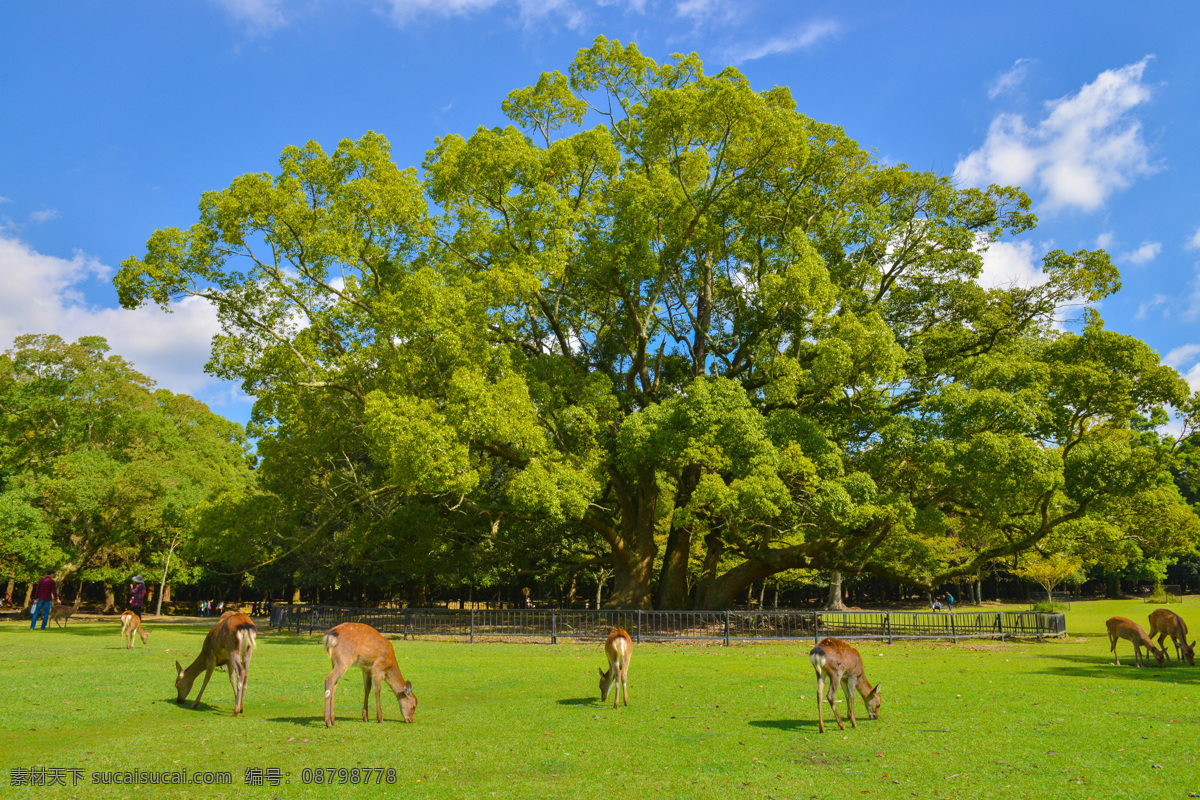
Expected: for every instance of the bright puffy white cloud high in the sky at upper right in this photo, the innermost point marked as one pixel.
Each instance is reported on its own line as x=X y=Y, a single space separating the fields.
x=1088 y=147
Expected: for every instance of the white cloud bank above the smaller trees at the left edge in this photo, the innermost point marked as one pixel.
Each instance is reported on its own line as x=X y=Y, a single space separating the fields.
x=40 y=294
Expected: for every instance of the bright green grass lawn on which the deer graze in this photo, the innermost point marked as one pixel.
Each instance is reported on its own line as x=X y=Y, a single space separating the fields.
x=974 y=720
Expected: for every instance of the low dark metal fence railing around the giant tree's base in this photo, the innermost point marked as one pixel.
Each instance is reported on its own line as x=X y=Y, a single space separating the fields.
x=676 y=625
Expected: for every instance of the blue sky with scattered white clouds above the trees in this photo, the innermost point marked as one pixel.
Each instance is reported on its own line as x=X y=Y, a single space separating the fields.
x=115 y=118
